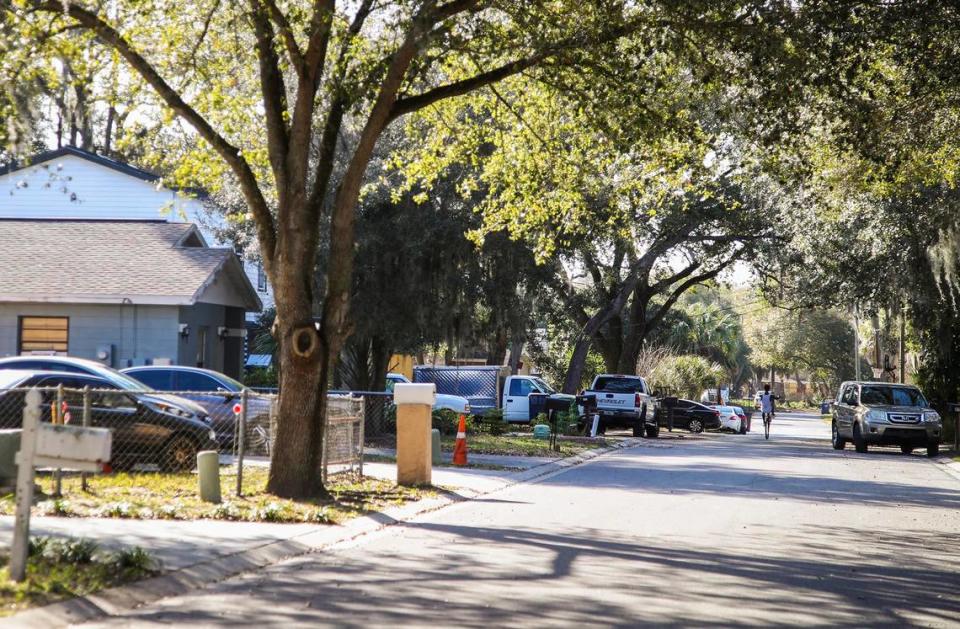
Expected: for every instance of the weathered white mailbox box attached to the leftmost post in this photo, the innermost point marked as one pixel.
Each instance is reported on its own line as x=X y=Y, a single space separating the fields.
x=72 y=447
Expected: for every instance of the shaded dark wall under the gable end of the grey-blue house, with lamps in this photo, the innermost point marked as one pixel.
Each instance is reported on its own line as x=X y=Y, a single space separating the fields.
x=224 y=355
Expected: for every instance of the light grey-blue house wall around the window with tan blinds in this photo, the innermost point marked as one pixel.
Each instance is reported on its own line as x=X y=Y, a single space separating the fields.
x=139 y=334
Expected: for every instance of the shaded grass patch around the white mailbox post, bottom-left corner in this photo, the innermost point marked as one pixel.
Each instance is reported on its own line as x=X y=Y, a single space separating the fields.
x=60 y=569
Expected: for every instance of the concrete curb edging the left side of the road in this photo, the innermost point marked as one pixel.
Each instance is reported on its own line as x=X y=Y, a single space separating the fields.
x=116 y=600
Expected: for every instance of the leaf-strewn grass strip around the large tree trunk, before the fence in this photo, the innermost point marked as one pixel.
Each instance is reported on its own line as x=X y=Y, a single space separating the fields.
x=175 y=497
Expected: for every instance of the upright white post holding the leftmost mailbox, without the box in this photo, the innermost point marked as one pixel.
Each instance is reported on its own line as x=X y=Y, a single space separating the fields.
x=21 y=525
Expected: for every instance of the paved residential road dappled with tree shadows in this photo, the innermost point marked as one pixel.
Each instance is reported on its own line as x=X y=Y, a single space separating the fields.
x=719 y=530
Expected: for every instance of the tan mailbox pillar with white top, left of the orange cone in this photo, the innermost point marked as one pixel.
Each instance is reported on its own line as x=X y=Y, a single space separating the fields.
x=414 y=447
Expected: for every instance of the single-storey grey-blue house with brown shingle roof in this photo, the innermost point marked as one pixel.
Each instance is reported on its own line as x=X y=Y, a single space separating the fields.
x=122 y=292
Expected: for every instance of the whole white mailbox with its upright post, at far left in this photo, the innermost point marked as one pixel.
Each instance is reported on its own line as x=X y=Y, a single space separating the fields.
x=49 y=445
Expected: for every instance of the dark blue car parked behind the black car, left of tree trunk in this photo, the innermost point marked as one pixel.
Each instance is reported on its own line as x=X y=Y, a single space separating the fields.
x=215 y=391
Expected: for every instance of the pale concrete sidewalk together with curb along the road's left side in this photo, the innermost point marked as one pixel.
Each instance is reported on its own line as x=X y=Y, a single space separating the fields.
x=194 y=554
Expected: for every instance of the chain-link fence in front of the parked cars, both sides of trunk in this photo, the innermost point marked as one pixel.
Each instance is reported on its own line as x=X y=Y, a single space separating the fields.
x=160 y=431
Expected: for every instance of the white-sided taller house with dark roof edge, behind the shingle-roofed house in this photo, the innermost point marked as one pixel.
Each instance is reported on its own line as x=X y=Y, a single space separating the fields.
x=70 y=183
